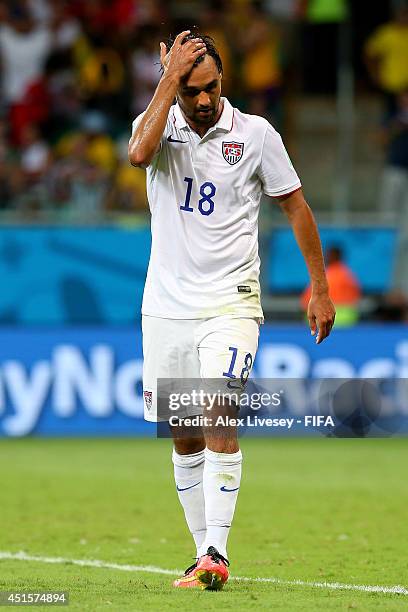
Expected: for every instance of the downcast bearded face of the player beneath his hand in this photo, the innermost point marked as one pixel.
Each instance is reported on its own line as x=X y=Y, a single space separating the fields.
x=199 y=94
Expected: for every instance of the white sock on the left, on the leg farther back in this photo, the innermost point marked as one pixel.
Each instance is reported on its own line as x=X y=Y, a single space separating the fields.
x=188 y=474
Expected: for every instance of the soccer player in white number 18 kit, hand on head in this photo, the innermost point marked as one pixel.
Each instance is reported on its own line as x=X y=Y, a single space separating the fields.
x=208 y=165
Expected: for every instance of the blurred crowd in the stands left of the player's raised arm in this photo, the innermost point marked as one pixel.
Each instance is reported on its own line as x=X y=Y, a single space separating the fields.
x=73 y=74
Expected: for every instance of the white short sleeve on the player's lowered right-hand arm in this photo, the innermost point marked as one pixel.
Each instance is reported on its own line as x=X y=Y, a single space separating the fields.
x=276 y=171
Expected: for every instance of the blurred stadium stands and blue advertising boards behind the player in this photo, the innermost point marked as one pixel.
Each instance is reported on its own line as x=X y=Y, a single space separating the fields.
x=74 y=233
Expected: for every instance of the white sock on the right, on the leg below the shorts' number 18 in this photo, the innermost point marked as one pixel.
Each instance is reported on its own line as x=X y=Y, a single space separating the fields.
x=222 y=477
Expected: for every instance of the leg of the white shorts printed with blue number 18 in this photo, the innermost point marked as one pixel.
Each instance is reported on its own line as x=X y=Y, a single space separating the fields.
x=227 y=348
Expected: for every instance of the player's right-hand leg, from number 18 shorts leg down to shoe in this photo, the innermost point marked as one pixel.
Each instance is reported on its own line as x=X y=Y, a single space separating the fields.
x=227 y=350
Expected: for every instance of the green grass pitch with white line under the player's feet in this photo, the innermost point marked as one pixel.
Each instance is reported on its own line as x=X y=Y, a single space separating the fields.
x=317 y=510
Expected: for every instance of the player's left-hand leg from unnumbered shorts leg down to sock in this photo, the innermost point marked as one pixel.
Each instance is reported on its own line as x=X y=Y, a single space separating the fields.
x=169 y=354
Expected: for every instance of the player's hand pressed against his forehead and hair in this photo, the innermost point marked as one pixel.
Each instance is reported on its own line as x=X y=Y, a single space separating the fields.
x=181 y=57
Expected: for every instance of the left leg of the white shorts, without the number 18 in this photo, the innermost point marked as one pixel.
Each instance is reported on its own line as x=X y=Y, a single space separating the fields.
x=169 y=354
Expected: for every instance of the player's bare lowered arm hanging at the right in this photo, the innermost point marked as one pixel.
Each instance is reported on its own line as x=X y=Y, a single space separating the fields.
x=321 y=312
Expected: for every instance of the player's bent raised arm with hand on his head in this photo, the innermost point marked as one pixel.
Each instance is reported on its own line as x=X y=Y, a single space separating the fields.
x=177 y=63
